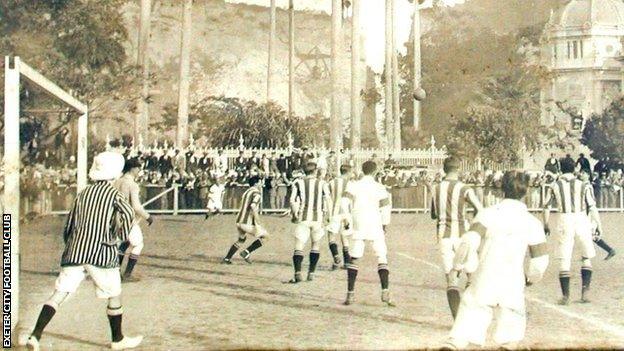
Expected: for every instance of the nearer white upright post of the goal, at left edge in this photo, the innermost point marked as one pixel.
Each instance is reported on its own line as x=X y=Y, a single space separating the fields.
x=11 y=173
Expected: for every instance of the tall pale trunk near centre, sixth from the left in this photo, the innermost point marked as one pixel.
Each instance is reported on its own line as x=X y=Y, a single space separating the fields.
x=356 y=113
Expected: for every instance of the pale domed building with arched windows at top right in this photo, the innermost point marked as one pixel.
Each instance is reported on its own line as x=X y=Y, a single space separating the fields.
x=582 y=44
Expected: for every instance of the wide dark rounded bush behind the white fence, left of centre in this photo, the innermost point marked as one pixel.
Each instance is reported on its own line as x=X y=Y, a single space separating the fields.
x=222 y=120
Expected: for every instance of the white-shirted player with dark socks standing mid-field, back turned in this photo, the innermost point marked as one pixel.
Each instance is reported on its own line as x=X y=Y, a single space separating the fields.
x=367 y=204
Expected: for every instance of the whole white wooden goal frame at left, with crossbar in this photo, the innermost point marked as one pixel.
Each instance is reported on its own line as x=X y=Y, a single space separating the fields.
x=14 y=69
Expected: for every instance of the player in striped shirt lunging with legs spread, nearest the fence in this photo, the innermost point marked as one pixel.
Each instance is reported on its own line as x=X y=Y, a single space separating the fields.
x=248 y=222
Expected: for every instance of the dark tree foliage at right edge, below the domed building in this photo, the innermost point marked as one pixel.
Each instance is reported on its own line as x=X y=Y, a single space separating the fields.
x=604 y=133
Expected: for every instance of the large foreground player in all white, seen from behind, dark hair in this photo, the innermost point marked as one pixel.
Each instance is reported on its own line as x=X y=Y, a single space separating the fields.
x=494 y=250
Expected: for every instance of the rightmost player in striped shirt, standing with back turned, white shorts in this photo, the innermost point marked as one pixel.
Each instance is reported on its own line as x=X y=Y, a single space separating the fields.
x=575 y=201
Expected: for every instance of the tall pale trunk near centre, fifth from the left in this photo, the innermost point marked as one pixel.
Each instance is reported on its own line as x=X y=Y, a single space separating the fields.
x=335 y=113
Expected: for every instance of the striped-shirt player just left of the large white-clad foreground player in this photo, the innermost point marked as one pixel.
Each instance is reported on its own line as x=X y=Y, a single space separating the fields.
x=450 y=198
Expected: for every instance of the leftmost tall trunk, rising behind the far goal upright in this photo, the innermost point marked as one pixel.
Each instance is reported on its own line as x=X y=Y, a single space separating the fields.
x=143 y=62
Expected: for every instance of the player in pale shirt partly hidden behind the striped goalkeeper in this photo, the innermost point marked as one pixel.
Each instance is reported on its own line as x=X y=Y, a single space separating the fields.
x=129 y=189
